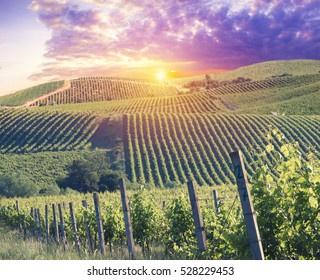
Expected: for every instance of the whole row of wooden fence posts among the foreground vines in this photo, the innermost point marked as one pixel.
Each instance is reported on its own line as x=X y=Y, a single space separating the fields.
x=58 y=233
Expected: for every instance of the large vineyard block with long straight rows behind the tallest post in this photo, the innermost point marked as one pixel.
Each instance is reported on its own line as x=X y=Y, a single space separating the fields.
x=163 y=148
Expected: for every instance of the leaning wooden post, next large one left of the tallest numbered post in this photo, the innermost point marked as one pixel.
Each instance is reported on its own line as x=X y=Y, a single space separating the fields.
x=197 y=217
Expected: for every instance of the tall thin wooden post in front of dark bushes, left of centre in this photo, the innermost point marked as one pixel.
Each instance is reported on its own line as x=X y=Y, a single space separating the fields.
x=127 y=220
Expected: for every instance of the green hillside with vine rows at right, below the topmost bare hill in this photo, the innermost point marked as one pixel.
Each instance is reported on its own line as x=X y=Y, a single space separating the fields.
x=291 y=95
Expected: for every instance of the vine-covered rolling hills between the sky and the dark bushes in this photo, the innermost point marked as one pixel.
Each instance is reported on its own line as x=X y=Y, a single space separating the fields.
x=162 y=134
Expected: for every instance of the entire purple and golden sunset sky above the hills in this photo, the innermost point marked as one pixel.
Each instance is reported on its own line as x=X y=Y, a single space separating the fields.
x=44 y=40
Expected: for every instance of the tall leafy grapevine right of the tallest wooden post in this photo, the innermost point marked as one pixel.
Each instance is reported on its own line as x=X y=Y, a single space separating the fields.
x=288 y=204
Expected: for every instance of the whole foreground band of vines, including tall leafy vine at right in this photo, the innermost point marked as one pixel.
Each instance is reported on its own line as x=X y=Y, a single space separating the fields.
x=163 y=221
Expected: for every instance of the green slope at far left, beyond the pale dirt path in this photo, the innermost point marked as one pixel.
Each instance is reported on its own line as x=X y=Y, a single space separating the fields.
x=22 y=96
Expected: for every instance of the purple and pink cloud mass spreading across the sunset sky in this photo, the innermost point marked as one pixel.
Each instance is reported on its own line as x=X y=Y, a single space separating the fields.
x=211 y=34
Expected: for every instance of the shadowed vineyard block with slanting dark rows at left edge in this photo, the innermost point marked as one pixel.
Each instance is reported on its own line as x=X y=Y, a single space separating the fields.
x=25 y=131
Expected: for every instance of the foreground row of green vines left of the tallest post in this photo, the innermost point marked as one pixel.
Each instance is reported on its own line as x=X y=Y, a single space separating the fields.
x=155 y=217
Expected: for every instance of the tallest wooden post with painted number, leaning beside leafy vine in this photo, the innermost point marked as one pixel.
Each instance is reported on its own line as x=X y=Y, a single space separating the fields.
x=247 y=206
